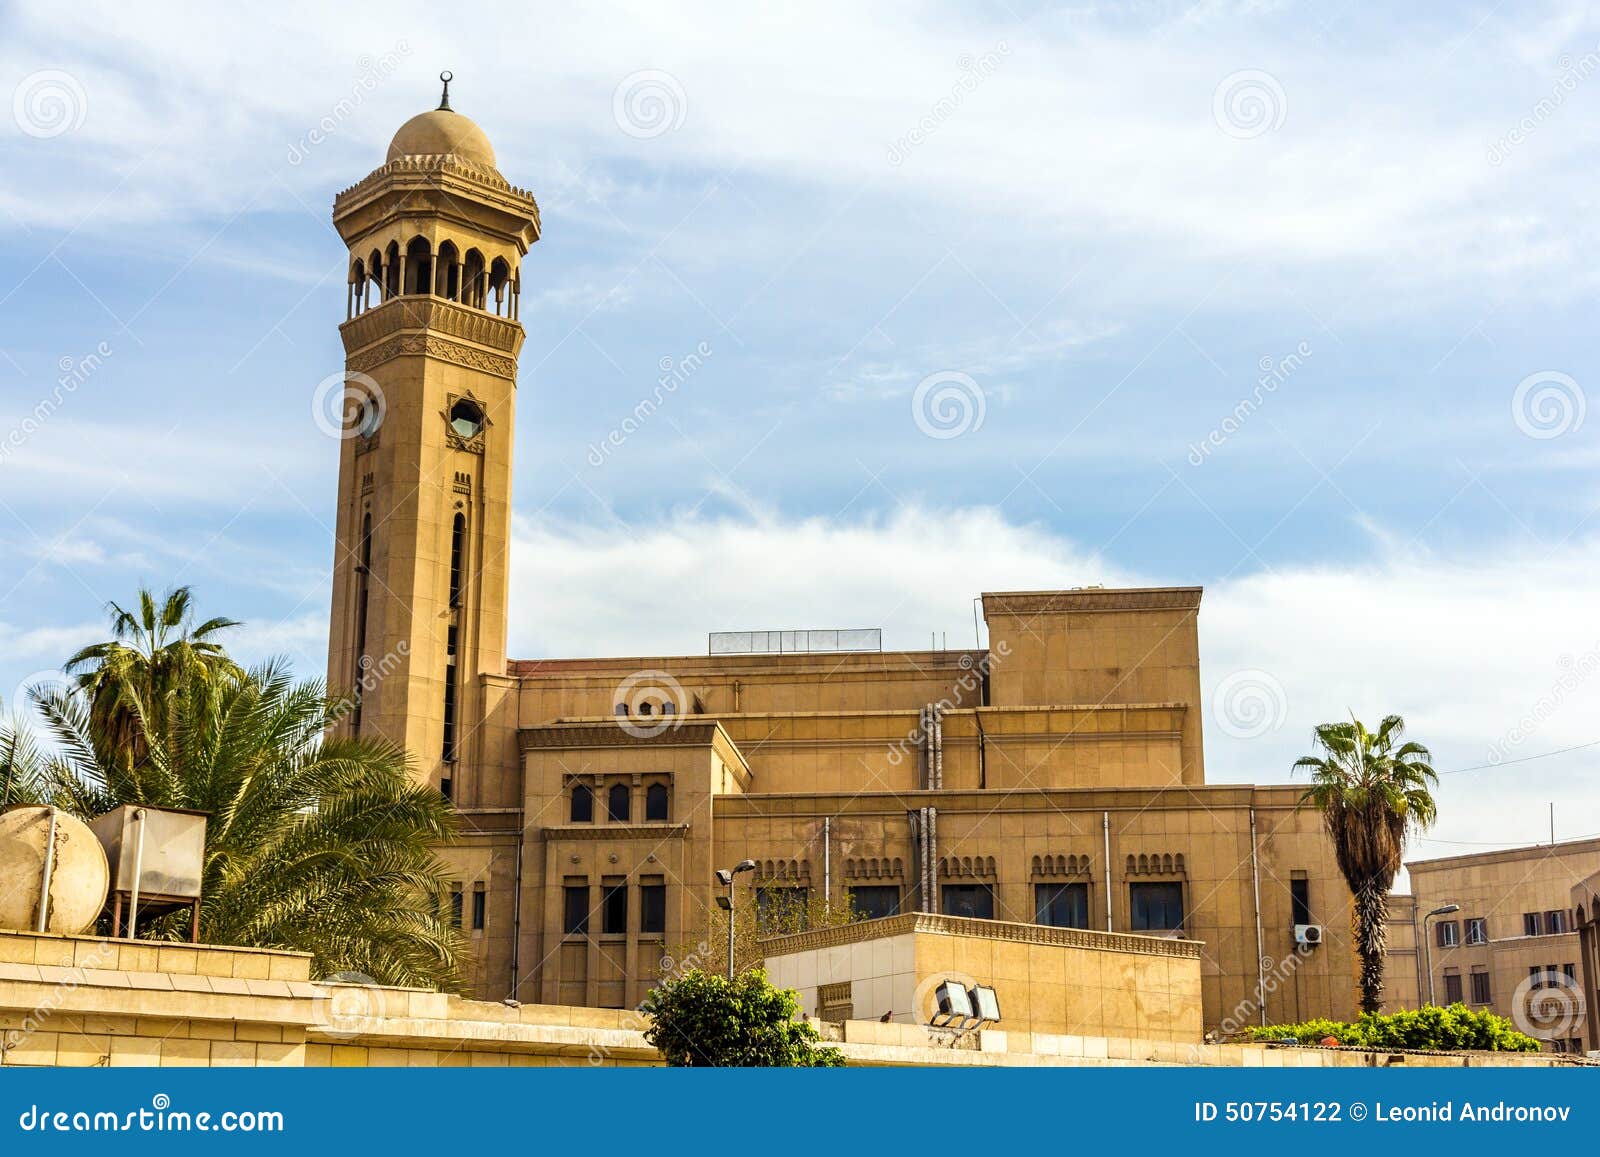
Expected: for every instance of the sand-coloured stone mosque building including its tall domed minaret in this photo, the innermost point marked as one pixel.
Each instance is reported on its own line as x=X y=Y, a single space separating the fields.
x=1055 y=779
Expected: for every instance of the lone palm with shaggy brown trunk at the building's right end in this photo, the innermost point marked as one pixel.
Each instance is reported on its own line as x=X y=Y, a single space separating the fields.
x=1372 y=795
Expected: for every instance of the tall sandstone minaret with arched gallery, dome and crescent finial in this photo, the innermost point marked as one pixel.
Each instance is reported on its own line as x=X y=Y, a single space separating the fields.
x=423 y=530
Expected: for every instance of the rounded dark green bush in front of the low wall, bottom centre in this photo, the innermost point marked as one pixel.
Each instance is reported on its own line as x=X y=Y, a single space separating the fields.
x=702 y=1020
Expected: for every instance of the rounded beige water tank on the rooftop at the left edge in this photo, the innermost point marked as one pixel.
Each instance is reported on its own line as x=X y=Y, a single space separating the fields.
x=79 y=875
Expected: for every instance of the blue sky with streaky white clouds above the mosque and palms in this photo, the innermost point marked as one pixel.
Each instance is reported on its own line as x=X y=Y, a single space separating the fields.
x=1090 y=226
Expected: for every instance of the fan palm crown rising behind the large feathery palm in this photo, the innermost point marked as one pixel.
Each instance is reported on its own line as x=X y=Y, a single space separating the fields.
x=132 y=678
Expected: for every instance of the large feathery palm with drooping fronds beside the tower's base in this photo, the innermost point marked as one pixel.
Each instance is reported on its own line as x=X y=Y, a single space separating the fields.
x=313 y=844
